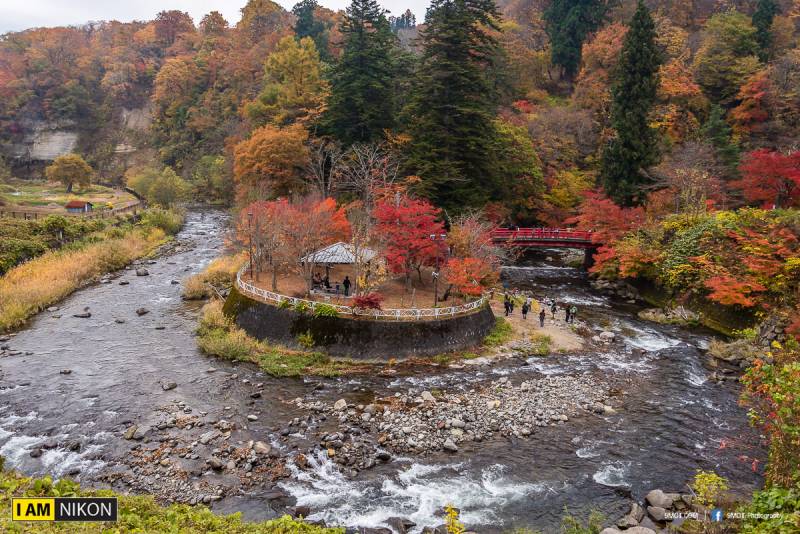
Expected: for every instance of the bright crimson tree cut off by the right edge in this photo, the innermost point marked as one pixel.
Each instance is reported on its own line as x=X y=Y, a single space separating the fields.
x=770 y=178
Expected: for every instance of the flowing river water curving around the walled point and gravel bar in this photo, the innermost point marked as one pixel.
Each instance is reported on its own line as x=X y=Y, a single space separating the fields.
x=671 y=419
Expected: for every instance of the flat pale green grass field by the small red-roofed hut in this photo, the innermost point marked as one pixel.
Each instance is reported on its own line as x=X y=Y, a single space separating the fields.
x=39 y=194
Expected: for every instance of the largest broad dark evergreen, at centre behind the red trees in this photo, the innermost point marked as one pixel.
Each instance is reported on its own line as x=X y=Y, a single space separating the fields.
x=453 y=103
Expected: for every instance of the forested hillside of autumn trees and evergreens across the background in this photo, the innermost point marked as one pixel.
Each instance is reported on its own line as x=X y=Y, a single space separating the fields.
x=514 y=110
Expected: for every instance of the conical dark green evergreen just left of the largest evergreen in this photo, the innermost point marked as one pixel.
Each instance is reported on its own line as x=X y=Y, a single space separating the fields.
x=361 y=107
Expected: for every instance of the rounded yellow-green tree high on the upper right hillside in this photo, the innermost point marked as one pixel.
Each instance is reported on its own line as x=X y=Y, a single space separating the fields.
x=727 y=55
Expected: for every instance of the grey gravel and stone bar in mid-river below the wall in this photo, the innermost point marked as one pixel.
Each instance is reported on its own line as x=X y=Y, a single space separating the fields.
x=419 y=424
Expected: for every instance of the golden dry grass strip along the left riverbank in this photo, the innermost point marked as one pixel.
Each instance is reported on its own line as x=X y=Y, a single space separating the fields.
x=41 y=282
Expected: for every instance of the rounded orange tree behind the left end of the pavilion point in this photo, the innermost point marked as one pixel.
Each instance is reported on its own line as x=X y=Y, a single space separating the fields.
x=271 y=162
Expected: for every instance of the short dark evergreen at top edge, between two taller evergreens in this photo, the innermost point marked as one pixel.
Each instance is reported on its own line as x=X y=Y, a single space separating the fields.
x=568 y=23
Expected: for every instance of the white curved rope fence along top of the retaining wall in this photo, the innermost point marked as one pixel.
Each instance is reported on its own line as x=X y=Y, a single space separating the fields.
x=395 y=314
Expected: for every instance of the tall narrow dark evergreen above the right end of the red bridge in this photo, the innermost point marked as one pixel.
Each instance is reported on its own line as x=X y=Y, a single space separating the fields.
x=634 y=148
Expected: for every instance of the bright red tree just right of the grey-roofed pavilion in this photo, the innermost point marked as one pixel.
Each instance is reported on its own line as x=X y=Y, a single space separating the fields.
x=405 y=226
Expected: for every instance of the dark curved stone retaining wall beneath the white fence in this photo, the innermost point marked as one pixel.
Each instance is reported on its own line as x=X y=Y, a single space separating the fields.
x=358 y=338
